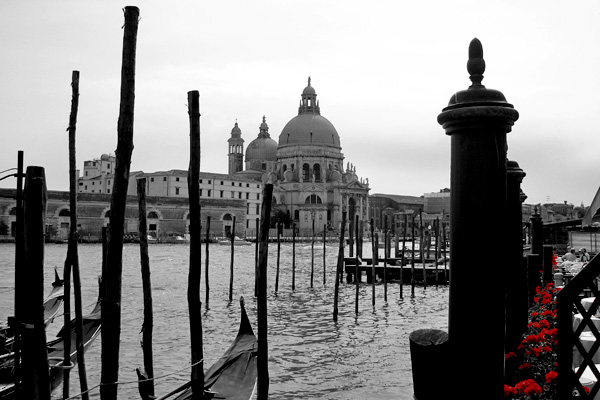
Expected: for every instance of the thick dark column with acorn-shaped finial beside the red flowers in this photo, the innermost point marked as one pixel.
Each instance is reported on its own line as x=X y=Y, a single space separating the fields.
x=477 y=121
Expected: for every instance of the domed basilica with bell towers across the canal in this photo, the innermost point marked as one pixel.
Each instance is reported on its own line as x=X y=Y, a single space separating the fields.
x=306 y=167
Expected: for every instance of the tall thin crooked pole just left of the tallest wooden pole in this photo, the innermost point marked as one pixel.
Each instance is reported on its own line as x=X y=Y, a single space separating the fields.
x=72 y=252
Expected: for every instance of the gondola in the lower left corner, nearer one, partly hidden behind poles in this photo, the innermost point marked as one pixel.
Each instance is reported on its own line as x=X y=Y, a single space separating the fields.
x=91 y=330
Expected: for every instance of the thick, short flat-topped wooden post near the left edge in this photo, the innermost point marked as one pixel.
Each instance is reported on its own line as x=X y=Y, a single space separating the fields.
x=35 y=376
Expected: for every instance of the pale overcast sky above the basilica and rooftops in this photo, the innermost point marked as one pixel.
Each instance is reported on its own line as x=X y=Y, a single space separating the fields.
x=382 y=70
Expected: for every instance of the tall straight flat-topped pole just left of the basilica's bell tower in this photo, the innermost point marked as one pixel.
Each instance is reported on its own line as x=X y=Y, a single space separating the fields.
x=195 y=270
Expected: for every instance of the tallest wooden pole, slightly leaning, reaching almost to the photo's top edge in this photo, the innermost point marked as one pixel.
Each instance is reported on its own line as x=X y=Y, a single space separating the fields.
x=111 y=307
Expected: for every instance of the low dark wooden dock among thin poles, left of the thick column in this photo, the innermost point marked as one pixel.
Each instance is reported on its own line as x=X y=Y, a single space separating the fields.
x=434 y=273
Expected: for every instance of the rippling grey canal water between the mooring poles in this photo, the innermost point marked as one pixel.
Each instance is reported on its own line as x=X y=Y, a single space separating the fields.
x=362 y=356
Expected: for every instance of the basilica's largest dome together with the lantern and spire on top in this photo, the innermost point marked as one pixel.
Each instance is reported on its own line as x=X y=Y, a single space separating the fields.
x=309 y=127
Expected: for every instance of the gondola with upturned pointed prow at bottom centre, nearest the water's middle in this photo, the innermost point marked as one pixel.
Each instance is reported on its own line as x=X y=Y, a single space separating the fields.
x=232 y=377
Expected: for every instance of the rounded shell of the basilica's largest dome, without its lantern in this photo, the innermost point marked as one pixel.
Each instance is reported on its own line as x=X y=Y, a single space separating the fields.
x=309 y=129
